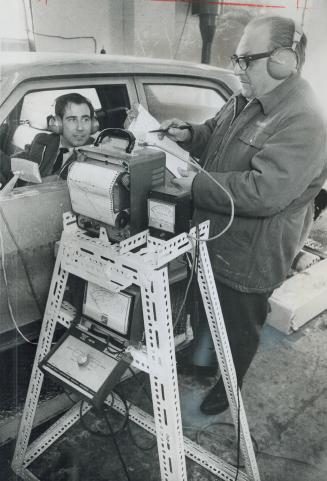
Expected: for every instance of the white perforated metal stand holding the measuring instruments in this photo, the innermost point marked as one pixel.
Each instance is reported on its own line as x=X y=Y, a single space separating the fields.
x=116 y=267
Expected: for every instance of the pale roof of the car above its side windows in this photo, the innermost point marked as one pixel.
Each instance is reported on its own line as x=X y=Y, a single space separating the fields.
x=17 y=67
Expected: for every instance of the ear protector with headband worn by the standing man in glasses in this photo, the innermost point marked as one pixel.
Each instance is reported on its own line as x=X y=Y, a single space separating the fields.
x=285 y=60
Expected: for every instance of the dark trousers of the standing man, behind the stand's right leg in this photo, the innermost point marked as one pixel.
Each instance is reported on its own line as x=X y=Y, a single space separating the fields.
x=244 y=315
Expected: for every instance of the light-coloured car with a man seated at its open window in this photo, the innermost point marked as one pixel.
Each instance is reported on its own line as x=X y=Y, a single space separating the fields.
x=31 y=216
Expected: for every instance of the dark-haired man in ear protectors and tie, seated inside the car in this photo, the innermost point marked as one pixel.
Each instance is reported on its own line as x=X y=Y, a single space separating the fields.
x=71 y=127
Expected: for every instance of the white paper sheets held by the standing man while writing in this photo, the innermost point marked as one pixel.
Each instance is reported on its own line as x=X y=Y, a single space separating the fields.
x=175 y=155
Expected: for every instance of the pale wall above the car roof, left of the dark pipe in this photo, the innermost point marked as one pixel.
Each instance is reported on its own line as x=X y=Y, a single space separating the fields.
x=136 y=27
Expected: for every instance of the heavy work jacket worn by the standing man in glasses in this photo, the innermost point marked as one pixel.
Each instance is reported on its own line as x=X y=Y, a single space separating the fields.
x=272 y=159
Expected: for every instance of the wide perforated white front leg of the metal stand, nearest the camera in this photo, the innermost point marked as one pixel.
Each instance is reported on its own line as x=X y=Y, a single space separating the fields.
x=163 y=375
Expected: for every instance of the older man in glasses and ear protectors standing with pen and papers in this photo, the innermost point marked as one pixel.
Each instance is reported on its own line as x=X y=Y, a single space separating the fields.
x=267 y=147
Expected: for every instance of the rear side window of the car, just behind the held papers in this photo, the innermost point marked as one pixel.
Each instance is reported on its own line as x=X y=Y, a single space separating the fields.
x=190 y=103
